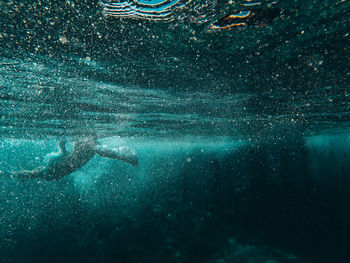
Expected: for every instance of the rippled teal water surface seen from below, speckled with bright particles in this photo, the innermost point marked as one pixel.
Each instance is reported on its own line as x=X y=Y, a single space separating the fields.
x=68 y=65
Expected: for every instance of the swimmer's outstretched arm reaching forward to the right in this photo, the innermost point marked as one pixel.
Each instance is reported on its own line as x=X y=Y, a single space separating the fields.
x=122 y=153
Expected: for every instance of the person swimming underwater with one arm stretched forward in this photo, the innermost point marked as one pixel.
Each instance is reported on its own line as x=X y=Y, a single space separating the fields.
x=66 y=163
